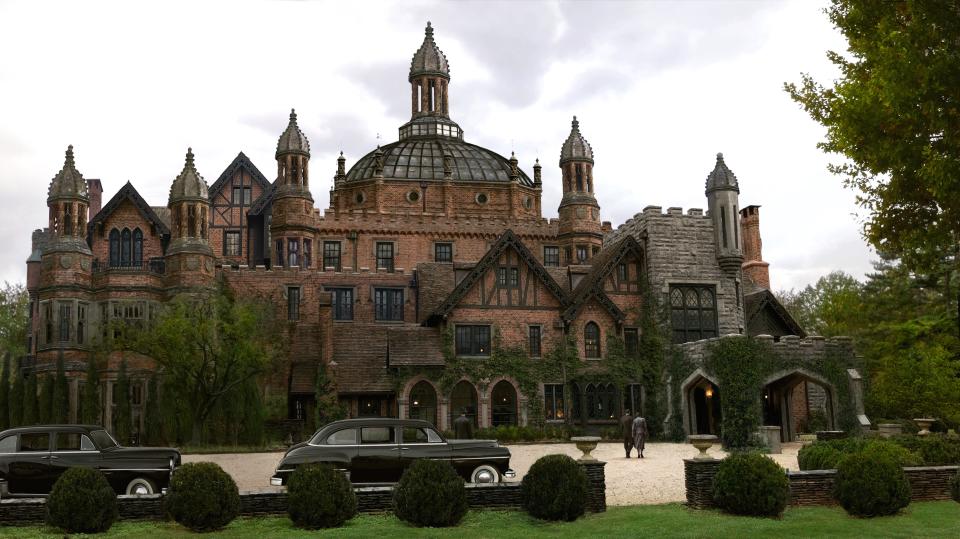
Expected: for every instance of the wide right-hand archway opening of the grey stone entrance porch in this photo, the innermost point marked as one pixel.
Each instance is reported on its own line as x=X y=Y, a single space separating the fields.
x=797 y=402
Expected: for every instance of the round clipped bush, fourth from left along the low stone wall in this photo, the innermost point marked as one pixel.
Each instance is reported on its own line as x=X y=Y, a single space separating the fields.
x=430 y=493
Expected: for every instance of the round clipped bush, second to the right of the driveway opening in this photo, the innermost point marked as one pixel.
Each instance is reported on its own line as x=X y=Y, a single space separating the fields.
x=871 y=484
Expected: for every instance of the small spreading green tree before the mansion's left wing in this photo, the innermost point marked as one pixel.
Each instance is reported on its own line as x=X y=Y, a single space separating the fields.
x=208 y=346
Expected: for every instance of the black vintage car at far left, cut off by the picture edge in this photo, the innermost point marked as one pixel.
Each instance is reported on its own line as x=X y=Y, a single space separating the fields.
x=32 y=458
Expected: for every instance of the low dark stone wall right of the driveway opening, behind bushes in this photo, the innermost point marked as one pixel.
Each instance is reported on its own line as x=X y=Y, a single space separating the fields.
x=815 y=487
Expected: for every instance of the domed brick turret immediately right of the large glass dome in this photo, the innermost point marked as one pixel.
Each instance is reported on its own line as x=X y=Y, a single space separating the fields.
x=580 y=233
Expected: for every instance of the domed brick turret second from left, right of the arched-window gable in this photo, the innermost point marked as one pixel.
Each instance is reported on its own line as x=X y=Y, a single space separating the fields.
x=189 y=258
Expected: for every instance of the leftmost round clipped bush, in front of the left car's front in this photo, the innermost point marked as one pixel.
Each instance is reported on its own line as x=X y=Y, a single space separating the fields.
x=82 y=501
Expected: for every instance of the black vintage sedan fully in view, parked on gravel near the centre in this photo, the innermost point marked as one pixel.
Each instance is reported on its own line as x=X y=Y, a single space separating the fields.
x=377 y=450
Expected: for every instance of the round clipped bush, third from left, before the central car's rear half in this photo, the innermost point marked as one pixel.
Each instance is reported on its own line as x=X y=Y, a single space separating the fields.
x=318 y=496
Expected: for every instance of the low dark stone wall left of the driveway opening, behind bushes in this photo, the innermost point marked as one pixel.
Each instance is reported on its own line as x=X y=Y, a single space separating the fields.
x=27 y=511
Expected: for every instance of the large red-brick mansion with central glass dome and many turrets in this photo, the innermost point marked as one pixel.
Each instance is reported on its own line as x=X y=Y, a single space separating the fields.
x=421 y=238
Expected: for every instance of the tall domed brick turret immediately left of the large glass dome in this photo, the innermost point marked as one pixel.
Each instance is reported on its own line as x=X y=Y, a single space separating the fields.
x=292 y=226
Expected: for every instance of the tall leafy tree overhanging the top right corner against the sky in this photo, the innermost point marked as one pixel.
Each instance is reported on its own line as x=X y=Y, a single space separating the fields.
x=893 y=118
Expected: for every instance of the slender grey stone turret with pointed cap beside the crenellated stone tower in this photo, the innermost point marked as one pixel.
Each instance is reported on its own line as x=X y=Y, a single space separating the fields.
x=723 y=195
